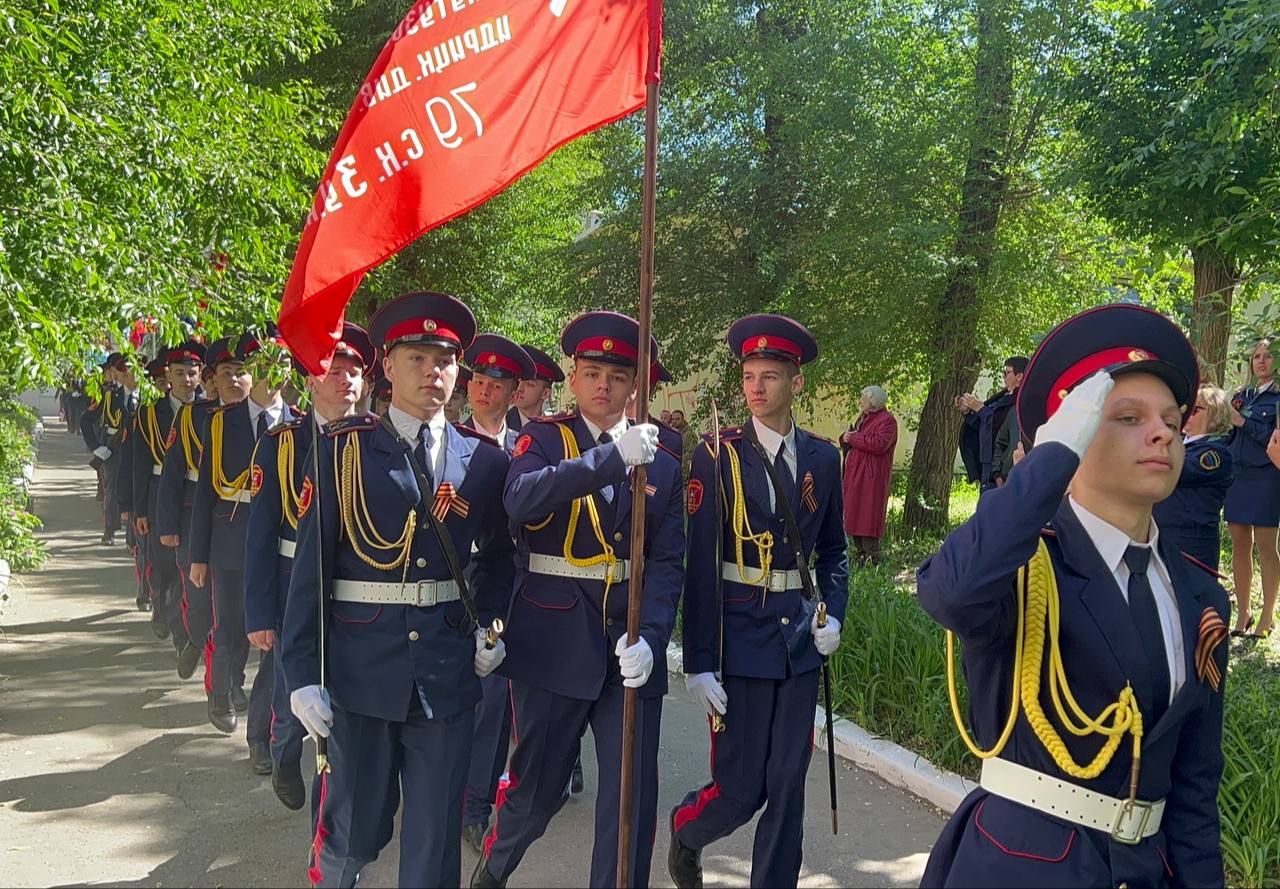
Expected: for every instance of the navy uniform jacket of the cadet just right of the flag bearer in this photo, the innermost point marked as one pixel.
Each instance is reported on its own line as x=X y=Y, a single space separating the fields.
x=766 y=636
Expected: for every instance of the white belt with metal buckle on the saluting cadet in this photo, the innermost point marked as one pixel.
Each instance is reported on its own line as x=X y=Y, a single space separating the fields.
x=1127 y=823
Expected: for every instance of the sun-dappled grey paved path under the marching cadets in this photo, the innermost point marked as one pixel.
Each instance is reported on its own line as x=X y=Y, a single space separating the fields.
x=111 y=775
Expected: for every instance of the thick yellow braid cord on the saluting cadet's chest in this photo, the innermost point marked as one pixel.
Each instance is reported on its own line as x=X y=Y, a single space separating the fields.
x=1039 y=608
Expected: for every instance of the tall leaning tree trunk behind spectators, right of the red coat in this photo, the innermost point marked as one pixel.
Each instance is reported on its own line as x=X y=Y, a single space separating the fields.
x=957 y=314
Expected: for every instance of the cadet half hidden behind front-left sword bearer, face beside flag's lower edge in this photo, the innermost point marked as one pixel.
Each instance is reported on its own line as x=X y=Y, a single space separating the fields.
x=276 y=485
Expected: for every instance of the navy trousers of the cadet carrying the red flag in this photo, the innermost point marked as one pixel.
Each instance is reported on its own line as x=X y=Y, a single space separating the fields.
x=548 y=739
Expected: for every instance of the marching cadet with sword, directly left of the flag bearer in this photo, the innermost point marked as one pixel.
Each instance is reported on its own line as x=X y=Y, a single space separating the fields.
x=403 y=507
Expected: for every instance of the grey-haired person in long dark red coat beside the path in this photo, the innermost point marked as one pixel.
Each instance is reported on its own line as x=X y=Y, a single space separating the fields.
x=868 y=448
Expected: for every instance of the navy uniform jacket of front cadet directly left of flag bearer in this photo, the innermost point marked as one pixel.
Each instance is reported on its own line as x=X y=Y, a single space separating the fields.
x=377 y=653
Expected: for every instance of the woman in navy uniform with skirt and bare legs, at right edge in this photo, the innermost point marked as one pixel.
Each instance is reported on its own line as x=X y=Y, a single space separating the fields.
x=1252 y=508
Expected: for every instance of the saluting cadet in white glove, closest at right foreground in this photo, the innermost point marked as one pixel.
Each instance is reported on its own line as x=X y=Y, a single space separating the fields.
x=1094 y=652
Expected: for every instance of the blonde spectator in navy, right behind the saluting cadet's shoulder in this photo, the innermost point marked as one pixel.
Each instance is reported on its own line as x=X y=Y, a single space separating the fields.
x=1191 y=517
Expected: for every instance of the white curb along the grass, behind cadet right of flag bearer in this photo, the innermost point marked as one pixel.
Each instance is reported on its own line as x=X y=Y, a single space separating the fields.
x=889 y=762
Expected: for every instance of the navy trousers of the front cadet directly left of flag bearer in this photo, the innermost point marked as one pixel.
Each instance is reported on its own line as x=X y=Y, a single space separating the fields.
x=372 y=760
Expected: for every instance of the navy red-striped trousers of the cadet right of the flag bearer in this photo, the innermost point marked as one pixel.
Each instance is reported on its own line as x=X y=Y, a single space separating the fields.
x=761 y=758
